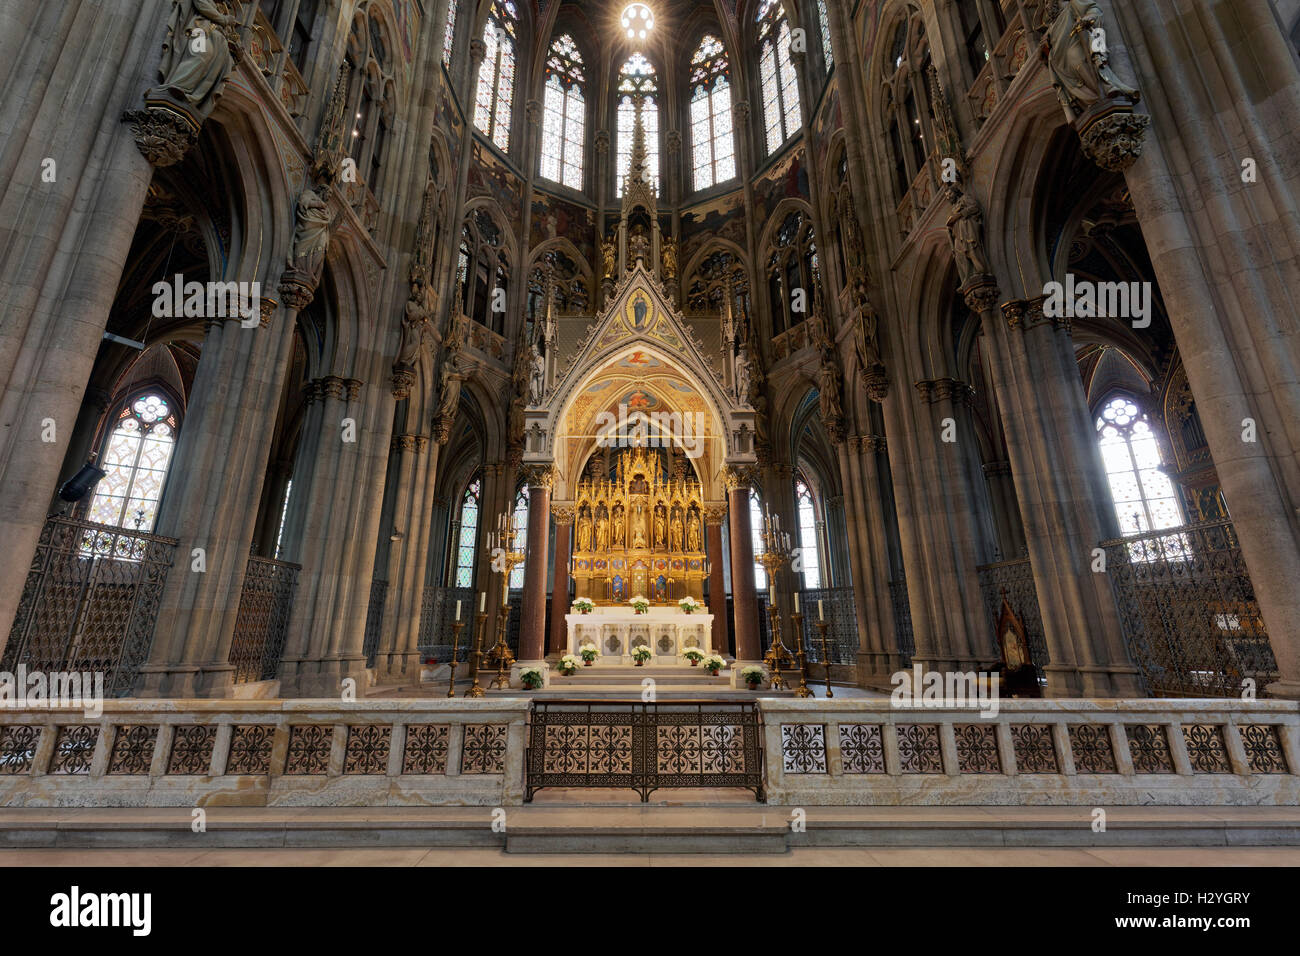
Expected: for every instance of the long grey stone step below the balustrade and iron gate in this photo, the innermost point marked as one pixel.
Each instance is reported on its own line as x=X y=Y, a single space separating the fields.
x=661 y=827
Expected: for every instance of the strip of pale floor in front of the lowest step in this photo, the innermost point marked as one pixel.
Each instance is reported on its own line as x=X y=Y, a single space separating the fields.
x=837 y=856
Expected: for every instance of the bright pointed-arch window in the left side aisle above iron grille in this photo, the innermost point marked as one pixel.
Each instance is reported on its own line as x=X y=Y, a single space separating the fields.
x=136 y=458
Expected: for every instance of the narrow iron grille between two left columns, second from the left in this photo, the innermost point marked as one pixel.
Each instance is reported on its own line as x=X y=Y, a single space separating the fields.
x=262 y=624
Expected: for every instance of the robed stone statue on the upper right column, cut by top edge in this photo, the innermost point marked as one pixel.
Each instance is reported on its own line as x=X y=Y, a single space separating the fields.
x=1076 y=53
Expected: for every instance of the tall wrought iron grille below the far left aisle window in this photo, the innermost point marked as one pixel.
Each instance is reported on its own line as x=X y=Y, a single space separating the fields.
x=90 y=602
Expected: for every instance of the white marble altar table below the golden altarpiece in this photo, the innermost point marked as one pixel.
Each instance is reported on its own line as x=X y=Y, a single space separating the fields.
x=616 y=630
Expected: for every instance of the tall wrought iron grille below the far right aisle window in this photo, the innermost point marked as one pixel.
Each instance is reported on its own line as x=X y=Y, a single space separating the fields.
x=1189 y=611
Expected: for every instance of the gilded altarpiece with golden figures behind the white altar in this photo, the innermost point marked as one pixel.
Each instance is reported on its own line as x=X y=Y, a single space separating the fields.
x=640 y=534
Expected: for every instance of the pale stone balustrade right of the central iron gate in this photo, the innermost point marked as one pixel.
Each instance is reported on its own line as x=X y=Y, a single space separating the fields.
x=1052 y=752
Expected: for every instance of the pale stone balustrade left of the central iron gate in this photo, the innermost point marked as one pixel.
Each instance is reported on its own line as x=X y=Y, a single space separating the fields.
x=266 y=754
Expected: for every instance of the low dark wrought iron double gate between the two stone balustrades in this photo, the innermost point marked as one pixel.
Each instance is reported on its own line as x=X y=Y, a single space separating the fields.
x=644 y=747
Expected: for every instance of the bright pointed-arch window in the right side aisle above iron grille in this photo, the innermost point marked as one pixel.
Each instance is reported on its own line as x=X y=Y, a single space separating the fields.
x=1143 y=495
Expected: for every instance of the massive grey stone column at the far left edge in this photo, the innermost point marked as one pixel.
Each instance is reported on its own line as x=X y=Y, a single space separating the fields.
x=66 y=241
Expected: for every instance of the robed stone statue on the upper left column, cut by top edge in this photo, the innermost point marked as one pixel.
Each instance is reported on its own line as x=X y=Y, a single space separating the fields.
x=196 y=55
